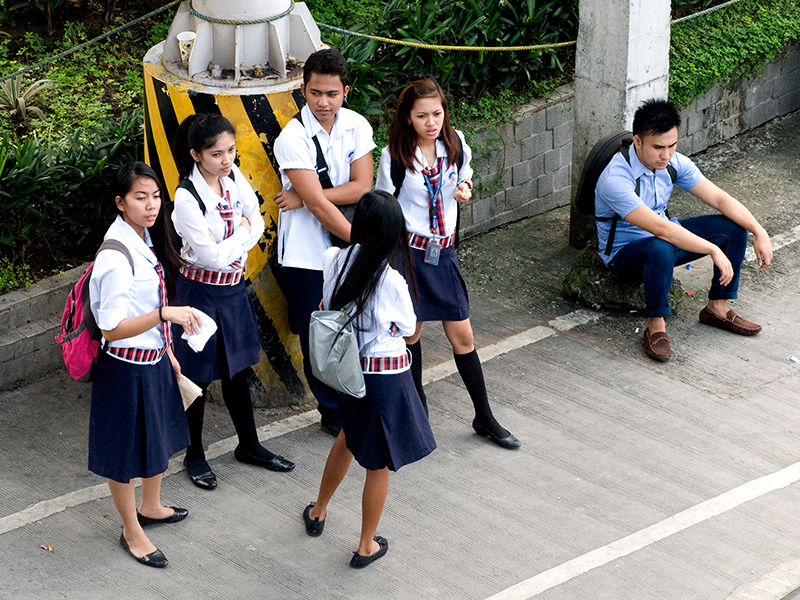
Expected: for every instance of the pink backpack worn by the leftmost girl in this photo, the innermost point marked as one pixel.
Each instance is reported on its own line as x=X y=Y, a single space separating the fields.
x=80 y=336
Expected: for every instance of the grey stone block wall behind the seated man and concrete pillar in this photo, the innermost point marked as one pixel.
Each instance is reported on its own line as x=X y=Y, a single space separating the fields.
x=523 y=168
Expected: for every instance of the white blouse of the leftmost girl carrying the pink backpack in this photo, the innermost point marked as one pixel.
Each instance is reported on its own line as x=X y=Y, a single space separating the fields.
x=115 y=293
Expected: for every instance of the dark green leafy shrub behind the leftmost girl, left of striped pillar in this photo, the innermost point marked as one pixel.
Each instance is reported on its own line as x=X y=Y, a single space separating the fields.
x=62 y=192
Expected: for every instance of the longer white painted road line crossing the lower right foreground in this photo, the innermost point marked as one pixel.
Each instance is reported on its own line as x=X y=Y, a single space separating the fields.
x=650 y=535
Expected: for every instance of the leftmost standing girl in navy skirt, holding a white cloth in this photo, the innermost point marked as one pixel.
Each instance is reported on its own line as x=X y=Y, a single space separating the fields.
x=136 y=421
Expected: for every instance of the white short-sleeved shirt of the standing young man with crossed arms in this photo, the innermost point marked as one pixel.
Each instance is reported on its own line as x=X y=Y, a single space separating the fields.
x=301 y=238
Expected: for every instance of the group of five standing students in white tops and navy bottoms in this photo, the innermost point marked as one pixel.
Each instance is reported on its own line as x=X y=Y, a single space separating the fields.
x=392 y=268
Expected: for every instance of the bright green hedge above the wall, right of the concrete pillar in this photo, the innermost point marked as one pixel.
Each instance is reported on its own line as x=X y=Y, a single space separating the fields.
x=727 y=44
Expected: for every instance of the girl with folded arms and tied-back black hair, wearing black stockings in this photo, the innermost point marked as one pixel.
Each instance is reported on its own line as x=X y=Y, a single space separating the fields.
x=217 y=216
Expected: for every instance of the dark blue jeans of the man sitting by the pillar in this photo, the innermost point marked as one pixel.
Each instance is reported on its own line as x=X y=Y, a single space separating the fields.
x=651 y=261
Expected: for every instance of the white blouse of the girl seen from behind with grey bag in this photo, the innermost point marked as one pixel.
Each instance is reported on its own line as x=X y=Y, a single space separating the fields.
x=391 y=303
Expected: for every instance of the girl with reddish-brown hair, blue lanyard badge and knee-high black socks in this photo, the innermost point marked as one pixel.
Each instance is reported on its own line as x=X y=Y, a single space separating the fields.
x=426 y=166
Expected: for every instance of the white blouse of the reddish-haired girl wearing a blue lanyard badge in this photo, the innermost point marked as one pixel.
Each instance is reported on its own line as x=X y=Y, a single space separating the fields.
x=413 y=196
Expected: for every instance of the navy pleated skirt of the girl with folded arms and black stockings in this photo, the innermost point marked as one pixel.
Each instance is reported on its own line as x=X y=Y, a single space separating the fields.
x=234 y=346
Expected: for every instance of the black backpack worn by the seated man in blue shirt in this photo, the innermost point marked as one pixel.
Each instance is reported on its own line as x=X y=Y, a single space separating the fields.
x=596 y=161
